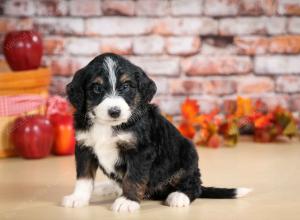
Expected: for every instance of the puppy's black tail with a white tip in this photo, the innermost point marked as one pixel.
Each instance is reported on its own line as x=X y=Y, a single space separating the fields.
x=223 y=193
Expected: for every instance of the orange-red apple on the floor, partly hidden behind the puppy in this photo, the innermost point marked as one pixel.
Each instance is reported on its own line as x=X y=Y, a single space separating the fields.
x=64 y=141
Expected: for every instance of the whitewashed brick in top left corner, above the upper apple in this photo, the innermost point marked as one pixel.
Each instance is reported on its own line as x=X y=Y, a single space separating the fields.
x=19 y=7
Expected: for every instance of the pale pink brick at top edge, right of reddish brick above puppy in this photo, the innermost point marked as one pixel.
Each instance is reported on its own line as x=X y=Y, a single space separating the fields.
x=152 y=7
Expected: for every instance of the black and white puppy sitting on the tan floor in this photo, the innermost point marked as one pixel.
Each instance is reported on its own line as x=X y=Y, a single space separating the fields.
x=120 y=132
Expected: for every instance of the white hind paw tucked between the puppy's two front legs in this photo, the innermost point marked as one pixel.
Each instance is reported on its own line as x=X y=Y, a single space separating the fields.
x=106 y=188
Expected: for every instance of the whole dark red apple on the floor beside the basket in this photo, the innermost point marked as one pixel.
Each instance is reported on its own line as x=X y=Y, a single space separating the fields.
x=32 y=136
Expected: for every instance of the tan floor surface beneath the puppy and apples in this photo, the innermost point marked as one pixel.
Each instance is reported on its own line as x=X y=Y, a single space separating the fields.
x=32 y=189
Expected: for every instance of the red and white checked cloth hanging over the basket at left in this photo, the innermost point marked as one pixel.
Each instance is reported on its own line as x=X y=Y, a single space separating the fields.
x=16 y=105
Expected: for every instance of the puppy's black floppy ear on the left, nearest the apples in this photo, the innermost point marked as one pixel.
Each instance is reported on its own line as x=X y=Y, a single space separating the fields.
x=75 y=90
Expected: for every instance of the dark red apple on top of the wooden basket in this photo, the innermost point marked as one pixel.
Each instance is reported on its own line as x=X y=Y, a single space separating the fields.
x=23 y=50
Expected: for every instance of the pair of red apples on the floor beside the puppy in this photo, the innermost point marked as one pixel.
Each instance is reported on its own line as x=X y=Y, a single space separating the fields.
x=36 y=136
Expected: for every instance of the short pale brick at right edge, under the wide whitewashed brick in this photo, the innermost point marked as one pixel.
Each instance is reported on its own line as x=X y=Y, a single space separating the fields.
x=288 y=84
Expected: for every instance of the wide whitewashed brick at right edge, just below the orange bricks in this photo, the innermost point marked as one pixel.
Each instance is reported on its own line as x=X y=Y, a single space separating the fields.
x=277 y=64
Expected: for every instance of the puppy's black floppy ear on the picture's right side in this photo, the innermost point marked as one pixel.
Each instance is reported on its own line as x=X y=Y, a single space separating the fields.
x=147 y=87
